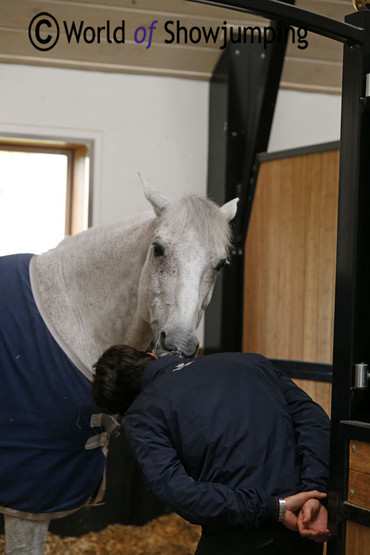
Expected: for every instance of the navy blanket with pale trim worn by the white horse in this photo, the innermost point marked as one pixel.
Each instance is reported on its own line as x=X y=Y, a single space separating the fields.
x=51 y=460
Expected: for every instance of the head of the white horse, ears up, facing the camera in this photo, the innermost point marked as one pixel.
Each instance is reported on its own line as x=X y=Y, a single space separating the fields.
x=188 y=250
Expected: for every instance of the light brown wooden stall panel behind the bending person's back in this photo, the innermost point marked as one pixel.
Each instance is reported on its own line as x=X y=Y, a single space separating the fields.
x=289 y=276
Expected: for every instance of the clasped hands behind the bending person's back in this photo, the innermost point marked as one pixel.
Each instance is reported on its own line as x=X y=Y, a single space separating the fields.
x=307 y=515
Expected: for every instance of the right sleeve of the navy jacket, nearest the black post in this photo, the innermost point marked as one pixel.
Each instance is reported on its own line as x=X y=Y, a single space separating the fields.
x=312 y=427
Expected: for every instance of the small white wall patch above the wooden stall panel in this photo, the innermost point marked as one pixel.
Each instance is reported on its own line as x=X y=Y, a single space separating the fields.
x=303 y=119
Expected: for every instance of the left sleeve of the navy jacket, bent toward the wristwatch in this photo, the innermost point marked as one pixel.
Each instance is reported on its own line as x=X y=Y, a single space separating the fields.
x=205 y=503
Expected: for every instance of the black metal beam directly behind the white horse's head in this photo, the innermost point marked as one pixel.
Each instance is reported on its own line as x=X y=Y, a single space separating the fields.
x=243 y=92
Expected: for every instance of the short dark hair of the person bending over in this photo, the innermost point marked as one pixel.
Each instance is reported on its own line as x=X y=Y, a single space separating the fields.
x=117 y=378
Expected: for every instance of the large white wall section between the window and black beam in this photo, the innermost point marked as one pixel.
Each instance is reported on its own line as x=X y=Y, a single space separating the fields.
x=155 y=125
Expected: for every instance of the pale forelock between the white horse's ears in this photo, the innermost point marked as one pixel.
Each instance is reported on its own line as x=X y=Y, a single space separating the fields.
x=201 y=214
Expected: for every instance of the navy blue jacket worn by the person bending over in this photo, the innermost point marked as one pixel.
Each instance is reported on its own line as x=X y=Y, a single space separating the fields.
x=219 y=437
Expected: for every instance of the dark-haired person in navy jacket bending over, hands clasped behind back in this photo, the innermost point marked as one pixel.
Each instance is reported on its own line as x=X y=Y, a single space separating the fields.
x=227 y=442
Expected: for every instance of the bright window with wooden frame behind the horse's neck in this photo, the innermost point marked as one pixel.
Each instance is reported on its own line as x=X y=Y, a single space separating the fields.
x=43 y=194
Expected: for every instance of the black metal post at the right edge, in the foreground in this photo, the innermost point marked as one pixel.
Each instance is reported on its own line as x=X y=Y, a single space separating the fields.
x=350 y=415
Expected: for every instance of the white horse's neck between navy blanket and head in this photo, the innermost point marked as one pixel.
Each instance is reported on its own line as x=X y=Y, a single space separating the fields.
x=87 y=288
